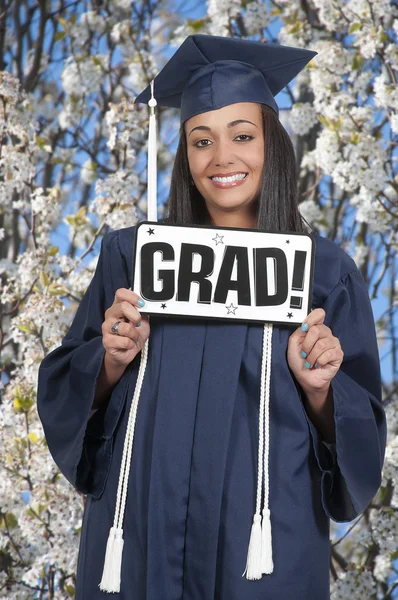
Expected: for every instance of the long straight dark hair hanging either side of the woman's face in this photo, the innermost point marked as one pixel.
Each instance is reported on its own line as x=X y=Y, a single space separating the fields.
x=277 y=201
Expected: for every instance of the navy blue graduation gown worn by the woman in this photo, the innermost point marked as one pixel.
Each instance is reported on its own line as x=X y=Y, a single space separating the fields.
x=192 y=485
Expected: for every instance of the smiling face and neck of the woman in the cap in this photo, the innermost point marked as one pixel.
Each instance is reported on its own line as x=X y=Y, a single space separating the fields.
x=226 y=157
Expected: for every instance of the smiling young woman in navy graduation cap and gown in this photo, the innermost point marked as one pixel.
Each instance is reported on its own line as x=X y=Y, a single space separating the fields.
x=191 y=484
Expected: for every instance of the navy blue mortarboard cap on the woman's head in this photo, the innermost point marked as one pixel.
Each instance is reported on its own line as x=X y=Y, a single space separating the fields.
x=208 y=72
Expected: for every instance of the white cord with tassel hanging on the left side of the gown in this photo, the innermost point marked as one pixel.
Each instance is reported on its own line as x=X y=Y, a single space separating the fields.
x=111 y=575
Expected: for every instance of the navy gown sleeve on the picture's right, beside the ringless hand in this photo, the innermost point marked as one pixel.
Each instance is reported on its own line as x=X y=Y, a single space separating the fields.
x=351 y=468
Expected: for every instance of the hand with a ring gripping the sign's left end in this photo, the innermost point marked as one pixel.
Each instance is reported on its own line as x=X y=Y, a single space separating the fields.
x=123 y=347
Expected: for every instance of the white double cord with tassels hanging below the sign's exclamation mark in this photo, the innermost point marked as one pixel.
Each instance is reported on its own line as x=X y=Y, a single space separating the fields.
x=261 y=532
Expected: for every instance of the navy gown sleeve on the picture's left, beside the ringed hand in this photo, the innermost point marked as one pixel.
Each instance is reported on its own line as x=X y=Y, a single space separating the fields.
x=82 y=446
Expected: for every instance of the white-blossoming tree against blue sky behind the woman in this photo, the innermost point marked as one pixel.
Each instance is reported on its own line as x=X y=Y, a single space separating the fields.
x=72 y=165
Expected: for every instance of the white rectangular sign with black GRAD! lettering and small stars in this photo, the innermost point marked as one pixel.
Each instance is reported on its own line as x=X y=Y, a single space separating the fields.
x=223 y=272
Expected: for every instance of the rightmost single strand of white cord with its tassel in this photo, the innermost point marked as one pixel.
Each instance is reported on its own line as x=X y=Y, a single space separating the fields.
x=267 y=565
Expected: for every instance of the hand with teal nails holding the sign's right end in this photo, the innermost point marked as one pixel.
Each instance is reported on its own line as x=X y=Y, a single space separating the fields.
x=317 y=345
